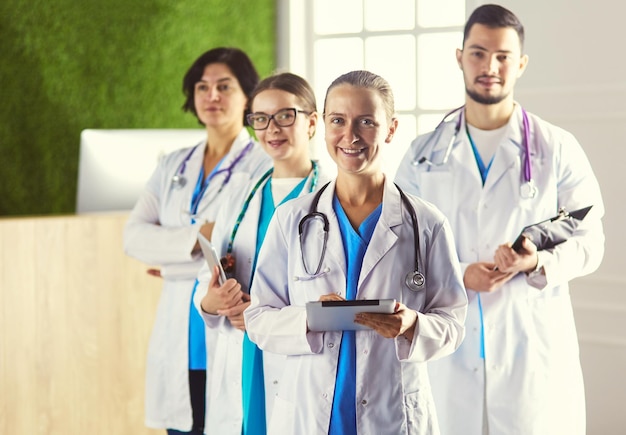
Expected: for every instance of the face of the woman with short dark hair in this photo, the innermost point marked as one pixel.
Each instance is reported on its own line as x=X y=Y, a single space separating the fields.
x=218 y=97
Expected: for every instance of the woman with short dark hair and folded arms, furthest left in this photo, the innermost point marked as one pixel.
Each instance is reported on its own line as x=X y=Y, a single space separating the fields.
x=179 y=201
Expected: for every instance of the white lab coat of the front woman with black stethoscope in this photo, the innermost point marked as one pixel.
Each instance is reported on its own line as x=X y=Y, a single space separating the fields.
x=392 y=388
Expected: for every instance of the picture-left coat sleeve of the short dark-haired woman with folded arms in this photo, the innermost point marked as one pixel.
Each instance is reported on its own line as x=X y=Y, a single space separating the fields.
x=146 y=239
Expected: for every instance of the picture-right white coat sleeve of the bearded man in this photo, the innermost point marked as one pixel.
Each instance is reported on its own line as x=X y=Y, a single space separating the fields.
x=578 y=187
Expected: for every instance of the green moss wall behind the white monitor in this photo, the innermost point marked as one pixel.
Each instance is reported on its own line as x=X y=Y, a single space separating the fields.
x=67 y=65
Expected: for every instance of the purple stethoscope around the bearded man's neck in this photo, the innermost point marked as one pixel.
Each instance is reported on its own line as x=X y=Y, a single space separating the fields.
x=527 y=189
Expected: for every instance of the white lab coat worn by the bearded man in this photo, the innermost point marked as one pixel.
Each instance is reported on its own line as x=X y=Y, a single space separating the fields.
x=531 y=376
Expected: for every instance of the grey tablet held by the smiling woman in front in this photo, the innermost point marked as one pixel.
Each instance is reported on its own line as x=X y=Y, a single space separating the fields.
x=339 y=315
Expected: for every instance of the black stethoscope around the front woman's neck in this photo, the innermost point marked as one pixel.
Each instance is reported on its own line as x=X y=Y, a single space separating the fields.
x=414 y=280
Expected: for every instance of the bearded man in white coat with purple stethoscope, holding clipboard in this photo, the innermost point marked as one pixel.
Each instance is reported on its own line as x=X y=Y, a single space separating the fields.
x=493 y=168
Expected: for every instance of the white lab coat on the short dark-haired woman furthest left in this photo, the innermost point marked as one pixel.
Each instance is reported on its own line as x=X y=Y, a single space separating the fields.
x=159 y=232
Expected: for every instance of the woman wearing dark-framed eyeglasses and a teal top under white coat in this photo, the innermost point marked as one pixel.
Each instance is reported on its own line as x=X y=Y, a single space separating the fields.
x=243 y=379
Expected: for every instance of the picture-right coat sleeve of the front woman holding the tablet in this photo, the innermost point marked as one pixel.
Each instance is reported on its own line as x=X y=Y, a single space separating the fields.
x=440 y=325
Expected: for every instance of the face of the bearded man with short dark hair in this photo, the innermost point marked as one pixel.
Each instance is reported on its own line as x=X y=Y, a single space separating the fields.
x=491 y=62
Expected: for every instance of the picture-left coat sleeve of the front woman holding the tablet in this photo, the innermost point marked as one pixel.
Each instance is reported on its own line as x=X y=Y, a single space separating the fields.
x=271 y=321
